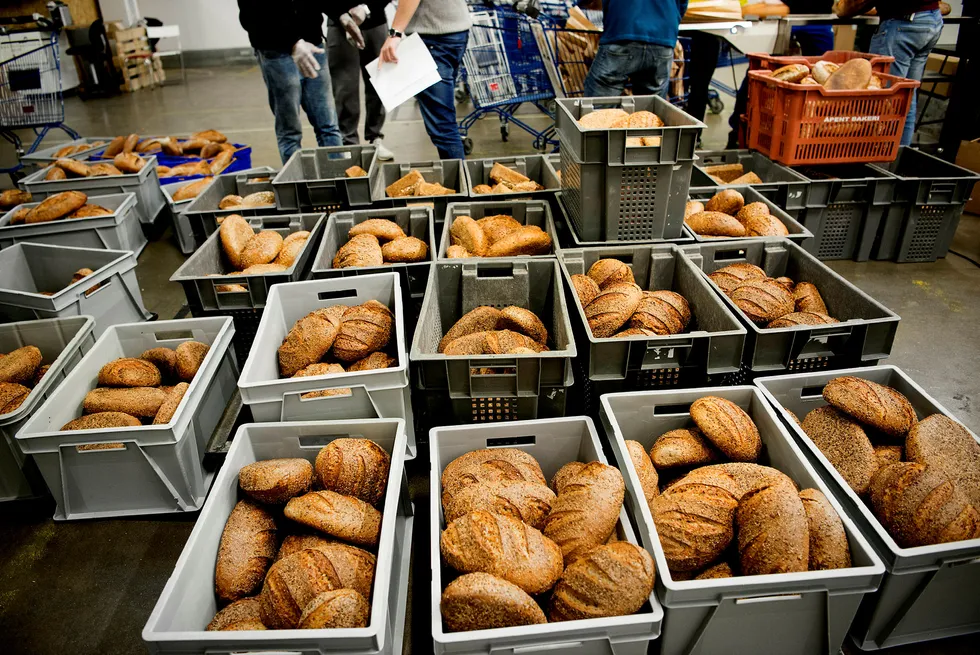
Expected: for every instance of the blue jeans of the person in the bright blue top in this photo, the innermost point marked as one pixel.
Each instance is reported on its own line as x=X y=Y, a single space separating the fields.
x=645 y=64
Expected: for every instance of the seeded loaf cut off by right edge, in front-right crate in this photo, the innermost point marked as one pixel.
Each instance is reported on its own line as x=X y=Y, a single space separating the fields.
x=941 y=442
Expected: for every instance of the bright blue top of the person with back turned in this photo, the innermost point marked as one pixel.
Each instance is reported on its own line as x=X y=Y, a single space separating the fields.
x=644 y=21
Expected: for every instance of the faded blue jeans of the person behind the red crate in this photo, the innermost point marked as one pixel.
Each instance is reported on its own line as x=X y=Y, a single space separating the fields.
x=910 y=43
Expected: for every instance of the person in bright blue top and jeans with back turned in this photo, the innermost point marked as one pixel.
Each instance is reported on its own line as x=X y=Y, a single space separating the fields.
x=637 y=44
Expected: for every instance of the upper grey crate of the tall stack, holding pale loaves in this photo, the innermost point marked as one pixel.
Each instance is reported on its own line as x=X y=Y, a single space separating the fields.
x=678 y=136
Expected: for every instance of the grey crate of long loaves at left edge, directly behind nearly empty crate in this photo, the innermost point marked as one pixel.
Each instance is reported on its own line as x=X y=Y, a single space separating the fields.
x=119 y=231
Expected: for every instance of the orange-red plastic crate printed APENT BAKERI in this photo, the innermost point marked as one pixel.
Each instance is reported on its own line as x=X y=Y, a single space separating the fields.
x=797 y=124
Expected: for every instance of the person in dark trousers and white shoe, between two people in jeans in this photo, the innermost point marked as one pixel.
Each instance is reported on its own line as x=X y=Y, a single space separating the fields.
x=354 y=39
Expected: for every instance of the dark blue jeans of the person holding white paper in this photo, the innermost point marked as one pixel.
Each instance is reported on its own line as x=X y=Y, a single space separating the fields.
x=438 y=102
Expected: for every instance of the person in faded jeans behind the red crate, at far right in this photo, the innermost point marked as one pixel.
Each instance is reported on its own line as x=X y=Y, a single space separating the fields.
x=908 y=31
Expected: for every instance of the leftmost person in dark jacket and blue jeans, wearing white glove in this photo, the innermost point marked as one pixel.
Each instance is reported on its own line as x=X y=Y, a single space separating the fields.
x=288 y=40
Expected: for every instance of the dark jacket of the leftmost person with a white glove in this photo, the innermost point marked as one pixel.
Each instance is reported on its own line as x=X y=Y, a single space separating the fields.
x=278 y=24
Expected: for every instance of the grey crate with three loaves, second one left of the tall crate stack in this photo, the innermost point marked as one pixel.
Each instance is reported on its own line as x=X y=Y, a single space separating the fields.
x=414 y=221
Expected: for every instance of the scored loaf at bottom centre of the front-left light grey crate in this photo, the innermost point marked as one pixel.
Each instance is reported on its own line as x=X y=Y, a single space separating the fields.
x=291 y=585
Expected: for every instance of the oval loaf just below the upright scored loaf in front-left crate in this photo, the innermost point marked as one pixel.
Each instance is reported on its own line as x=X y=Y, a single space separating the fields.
x=344 y=517
